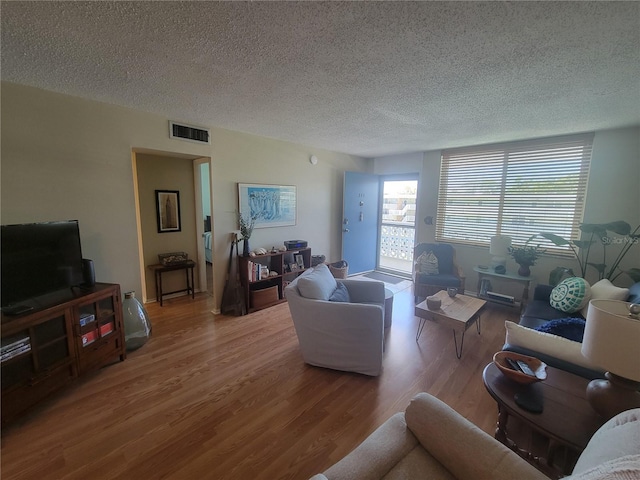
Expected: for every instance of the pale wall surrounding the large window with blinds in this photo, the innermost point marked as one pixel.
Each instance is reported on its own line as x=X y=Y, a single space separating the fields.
x=613 y=193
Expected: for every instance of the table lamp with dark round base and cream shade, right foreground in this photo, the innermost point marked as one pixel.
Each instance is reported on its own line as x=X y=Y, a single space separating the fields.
x=612 y=341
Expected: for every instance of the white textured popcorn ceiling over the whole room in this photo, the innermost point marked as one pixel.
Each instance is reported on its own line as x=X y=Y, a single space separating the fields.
x=365 y=78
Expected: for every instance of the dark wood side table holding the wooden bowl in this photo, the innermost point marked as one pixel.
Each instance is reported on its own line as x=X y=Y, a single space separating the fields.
x=551 y=440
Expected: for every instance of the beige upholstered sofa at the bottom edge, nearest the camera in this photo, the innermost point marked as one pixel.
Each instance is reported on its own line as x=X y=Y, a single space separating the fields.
x=432 y=441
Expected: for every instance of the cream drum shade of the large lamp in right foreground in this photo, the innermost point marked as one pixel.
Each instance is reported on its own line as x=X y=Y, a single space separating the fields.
x=612 y=338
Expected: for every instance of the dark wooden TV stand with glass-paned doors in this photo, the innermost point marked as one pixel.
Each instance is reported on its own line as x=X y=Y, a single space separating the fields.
x=55 y=345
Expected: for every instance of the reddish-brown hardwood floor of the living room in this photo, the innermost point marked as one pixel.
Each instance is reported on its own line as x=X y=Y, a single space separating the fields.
x=230 y=398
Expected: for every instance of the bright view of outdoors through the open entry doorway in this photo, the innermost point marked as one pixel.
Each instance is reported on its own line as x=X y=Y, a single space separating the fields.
x=397 y=226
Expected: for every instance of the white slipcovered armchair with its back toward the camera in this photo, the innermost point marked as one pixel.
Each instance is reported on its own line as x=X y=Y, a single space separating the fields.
x=340 y=335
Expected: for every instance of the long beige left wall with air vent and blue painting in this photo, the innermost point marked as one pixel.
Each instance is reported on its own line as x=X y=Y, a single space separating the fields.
x=65 y=157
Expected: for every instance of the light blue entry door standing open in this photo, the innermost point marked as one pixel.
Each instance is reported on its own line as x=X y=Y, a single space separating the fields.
x=360 y=221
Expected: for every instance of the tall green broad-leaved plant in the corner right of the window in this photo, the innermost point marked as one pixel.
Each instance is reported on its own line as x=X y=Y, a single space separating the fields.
x=597 y=232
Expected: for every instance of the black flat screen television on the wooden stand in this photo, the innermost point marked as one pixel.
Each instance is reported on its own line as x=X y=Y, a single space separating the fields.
x=39 y=259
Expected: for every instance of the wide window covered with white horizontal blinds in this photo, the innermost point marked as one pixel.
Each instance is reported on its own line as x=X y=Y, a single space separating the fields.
x=517 y=189
